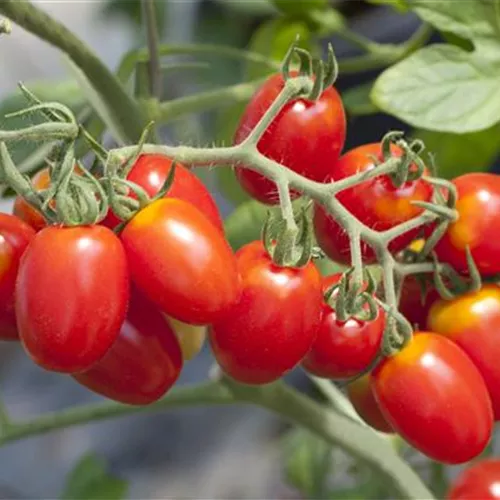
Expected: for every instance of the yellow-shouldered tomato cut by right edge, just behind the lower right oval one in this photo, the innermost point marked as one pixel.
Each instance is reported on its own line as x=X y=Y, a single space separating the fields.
x=472 y=321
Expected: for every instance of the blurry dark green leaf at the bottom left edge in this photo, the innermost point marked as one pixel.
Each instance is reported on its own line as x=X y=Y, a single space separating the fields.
x=90 y=481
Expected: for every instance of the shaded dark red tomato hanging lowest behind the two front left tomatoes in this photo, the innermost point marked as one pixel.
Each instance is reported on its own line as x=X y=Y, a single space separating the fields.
x=144 y=362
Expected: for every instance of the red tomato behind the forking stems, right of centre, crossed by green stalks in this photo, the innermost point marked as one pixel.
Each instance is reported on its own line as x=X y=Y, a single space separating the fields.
x=377 y=203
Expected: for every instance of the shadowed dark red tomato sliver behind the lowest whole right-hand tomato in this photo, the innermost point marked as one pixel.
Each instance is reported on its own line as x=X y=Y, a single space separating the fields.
x=361 y=396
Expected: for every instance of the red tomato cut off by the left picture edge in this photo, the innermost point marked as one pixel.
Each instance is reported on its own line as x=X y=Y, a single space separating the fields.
x=15 y=235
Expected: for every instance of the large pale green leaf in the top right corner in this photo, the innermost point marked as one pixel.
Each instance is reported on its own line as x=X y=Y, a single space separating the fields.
x=443 y=87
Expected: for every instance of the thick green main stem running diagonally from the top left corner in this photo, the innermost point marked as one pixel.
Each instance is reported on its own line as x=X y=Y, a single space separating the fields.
x=39 y=23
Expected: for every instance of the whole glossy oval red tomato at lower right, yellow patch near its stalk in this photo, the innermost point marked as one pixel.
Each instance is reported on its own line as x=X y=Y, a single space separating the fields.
x=434 y=396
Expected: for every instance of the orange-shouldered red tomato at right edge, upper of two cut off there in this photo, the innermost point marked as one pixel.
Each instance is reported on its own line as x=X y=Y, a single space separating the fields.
x=478 y=207
